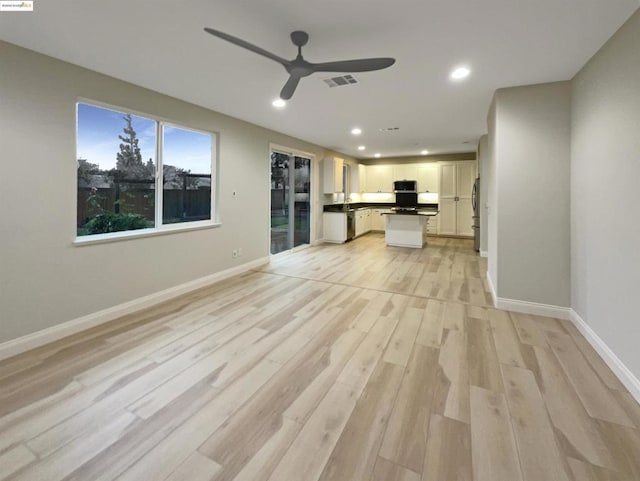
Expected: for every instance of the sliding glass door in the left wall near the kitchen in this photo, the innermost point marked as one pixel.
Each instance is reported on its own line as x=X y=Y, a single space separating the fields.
x=290 y=201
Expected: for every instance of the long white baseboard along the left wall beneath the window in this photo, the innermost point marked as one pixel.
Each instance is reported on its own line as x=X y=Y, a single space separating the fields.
x=54 y=333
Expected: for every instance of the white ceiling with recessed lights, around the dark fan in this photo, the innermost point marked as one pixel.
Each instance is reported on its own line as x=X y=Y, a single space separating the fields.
x=160 y=44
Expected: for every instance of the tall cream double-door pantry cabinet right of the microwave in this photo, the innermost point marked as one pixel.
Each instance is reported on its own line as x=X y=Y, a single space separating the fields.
x=456 y=184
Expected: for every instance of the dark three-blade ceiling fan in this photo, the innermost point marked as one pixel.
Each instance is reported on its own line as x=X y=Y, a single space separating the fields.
x=299 y=67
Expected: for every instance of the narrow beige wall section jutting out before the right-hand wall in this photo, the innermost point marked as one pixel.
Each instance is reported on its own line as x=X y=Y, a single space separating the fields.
x=531 y=146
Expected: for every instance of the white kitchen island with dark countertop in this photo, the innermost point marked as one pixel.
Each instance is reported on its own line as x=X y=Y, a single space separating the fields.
x=407 y=228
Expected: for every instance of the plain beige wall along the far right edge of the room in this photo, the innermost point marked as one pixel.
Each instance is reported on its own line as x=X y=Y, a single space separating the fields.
x=605 y=186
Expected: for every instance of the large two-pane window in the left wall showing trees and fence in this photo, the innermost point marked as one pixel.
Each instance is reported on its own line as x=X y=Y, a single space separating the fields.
x=139 y=173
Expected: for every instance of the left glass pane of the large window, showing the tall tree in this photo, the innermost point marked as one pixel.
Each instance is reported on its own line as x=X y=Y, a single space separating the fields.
x=116 y=171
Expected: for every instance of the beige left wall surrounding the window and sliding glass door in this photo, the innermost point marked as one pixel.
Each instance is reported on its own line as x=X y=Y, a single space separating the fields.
x=46 y=280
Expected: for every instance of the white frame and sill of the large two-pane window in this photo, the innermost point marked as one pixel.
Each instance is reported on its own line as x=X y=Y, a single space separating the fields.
x=159 y=228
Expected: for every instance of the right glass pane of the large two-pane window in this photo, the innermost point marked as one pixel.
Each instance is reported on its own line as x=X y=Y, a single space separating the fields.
x=186 y=168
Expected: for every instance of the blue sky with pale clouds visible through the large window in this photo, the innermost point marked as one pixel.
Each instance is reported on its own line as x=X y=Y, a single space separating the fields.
x=98 y=141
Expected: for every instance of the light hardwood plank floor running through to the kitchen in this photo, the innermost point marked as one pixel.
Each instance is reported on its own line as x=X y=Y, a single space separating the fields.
x=355 y=362
